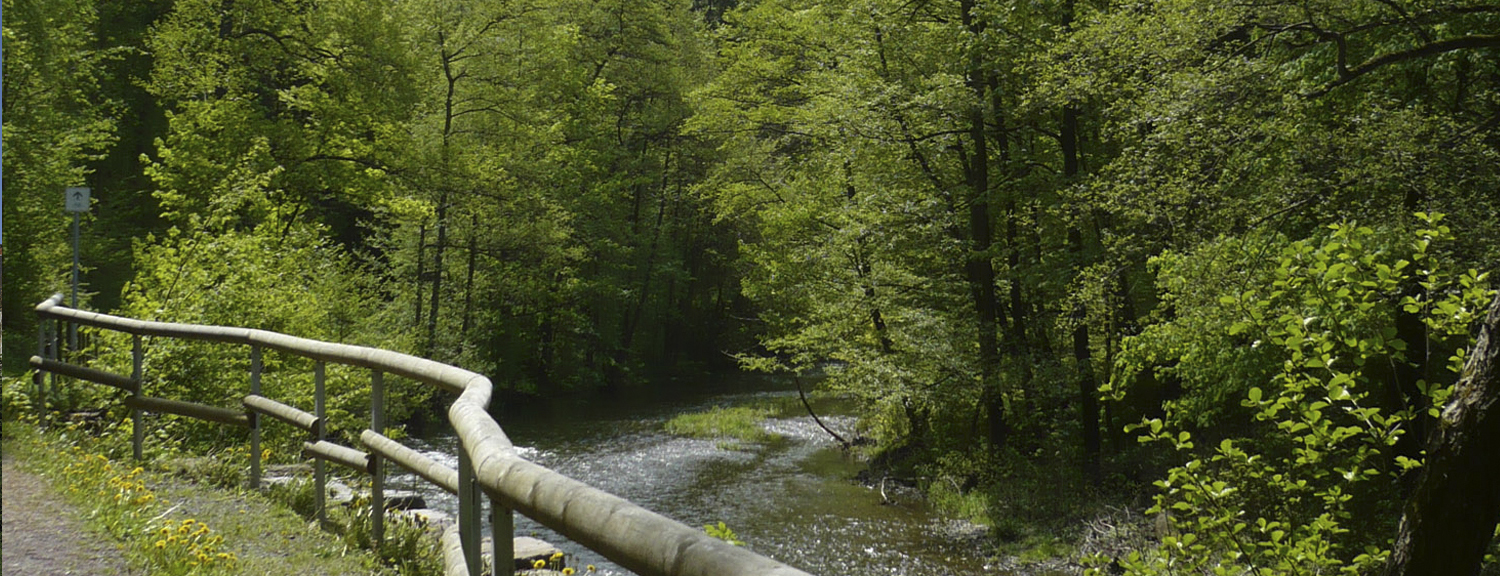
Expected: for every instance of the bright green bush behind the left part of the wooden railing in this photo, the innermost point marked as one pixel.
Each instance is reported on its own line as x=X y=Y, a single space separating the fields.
x=289 y=281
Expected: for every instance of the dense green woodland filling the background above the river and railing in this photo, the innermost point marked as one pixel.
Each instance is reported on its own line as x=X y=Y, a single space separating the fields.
x=1223 y=254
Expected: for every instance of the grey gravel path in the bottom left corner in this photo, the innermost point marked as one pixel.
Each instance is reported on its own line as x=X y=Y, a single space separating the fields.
x=44 y=536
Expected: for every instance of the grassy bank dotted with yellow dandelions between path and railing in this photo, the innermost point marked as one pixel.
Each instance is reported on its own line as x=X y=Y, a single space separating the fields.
x=170 y=524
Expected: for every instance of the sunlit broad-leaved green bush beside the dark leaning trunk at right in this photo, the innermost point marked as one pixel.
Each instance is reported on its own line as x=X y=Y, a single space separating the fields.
x=1312 y=487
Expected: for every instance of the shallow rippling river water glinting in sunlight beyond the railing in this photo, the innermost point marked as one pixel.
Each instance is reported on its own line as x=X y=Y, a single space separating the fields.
x=793 y=500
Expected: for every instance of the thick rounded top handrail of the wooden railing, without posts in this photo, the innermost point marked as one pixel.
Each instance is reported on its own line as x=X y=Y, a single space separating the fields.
x=635 y=538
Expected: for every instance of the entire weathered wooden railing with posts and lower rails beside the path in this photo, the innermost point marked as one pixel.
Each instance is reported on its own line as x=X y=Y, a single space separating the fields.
x=628 y=535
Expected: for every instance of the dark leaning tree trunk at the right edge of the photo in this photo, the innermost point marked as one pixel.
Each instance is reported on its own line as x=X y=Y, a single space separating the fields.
x=1453 y=514
